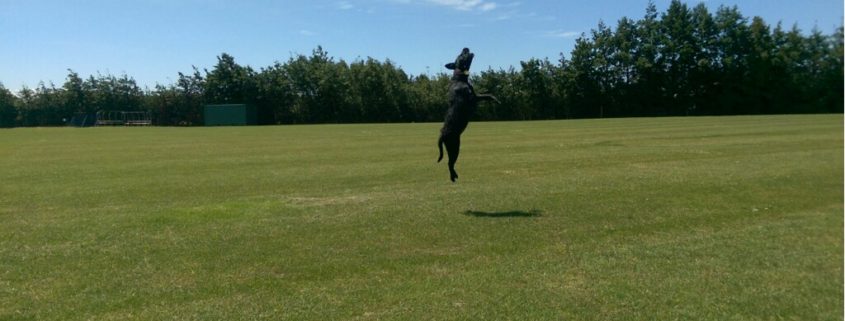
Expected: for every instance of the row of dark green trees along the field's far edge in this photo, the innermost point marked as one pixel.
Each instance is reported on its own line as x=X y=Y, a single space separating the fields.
x=684 y=61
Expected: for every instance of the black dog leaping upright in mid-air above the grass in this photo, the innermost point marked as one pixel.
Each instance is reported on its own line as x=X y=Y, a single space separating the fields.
x=462 y=104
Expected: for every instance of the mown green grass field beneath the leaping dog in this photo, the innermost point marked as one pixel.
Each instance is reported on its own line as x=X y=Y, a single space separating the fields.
x=712 y=218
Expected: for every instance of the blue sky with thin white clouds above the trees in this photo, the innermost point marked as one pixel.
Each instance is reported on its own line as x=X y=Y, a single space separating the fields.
x=152 y=40
